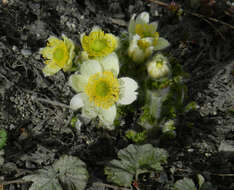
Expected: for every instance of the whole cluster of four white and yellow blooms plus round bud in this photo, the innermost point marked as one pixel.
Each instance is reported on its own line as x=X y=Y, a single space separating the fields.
x=98 y=88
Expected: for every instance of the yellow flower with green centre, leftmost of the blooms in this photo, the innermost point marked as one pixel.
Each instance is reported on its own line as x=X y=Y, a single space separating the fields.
x=58 y=54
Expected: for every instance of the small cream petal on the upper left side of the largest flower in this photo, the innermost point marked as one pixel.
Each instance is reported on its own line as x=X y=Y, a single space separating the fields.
x=78 y=82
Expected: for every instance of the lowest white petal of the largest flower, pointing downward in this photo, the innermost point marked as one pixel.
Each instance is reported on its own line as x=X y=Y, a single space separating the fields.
x=107 y=116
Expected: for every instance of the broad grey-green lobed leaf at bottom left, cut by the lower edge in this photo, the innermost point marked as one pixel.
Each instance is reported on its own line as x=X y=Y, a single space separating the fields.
x=68 y=173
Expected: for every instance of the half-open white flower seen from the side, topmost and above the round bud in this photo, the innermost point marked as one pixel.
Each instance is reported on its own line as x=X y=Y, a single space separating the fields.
x=144 y=38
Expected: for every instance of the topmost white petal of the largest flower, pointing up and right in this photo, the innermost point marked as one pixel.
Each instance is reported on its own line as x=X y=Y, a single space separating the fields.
x=110 y=63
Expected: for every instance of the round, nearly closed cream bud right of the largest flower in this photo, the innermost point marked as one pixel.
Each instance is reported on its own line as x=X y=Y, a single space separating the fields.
x=158 y=67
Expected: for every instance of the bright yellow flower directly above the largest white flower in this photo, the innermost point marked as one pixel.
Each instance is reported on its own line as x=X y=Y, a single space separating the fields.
x=99 y=44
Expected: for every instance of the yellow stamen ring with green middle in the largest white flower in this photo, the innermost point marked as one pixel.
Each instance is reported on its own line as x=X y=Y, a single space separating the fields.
x=103 y=89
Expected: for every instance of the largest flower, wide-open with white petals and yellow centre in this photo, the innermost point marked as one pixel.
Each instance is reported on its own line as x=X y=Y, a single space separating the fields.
x=99 y=89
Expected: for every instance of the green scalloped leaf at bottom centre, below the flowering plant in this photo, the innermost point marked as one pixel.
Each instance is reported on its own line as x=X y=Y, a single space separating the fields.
x=134 y=160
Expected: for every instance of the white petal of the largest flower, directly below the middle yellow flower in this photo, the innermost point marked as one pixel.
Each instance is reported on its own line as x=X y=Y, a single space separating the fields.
x=90 y=67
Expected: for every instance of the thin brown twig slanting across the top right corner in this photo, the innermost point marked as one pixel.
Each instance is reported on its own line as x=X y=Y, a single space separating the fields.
x=195 y=14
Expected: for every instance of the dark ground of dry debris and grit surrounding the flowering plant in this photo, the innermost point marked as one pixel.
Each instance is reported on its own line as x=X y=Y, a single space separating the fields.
x=34 y=111
